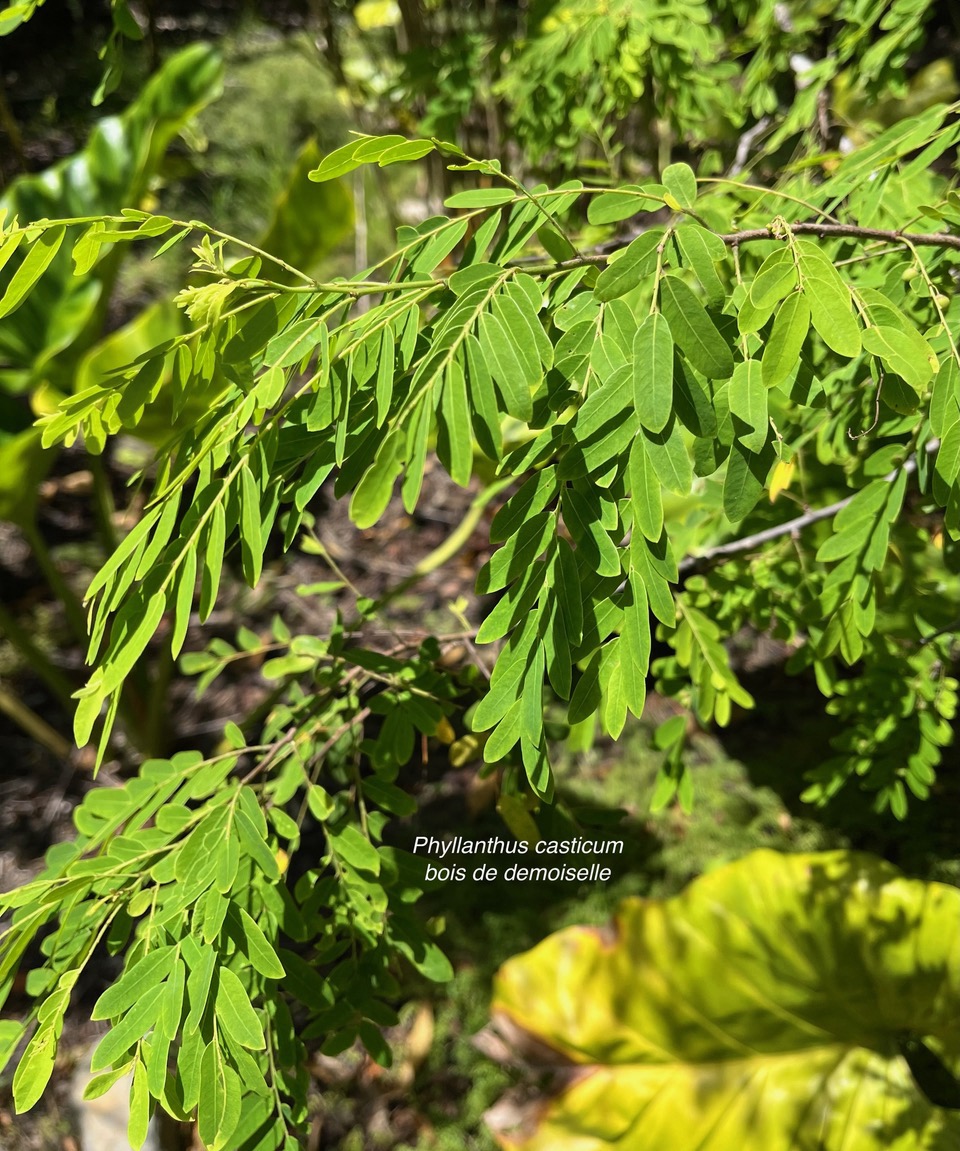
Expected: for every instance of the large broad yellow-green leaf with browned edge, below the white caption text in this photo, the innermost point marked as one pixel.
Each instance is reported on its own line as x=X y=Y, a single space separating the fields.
x=765 y=1008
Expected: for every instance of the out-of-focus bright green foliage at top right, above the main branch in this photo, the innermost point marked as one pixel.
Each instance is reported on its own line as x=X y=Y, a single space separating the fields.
x=590 y=85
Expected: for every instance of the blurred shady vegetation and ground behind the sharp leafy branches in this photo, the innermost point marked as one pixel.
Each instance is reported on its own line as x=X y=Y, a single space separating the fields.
x=607 y=92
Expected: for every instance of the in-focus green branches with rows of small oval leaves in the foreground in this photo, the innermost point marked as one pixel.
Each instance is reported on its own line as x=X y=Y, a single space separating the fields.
x=653 y=411
